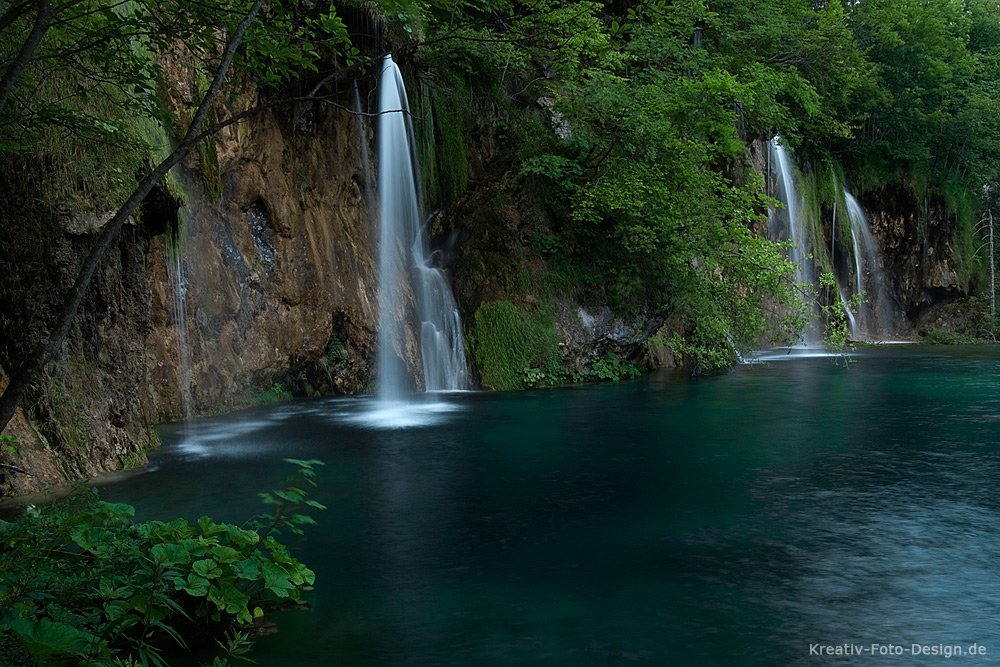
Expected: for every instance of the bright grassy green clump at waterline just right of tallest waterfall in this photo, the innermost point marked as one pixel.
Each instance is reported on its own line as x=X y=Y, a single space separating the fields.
x=509 y=339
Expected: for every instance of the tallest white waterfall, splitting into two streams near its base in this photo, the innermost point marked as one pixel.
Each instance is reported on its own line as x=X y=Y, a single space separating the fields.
x=405 y=260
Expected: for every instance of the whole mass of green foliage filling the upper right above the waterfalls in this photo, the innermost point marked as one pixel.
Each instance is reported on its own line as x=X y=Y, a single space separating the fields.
x=642 y=110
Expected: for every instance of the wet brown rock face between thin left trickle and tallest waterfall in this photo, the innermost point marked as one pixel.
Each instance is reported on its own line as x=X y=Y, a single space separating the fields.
x=279 y=277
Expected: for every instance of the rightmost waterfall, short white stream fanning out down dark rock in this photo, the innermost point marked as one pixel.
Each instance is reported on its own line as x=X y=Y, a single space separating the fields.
x=878 y=316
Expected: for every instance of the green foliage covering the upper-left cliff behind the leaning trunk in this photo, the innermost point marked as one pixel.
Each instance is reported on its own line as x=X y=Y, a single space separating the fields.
x=88 y=109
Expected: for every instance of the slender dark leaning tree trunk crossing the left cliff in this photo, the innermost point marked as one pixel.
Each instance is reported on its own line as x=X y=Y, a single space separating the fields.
x=47 y=348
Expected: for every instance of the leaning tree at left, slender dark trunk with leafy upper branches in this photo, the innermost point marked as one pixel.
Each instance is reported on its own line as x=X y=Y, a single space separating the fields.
x=274 y=55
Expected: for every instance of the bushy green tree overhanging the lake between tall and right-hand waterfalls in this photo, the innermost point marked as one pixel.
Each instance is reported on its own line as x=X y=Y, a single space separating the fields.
x=642 y=121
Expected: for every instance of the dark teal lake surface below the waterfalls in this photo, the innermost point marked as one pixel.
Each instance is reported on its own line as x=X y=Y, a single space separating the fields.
x=753 y=517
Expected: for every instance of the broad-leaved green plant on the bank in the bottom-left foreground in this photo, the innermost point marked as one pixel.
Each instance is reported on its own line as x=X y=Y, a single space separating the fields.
x=80 y=583
